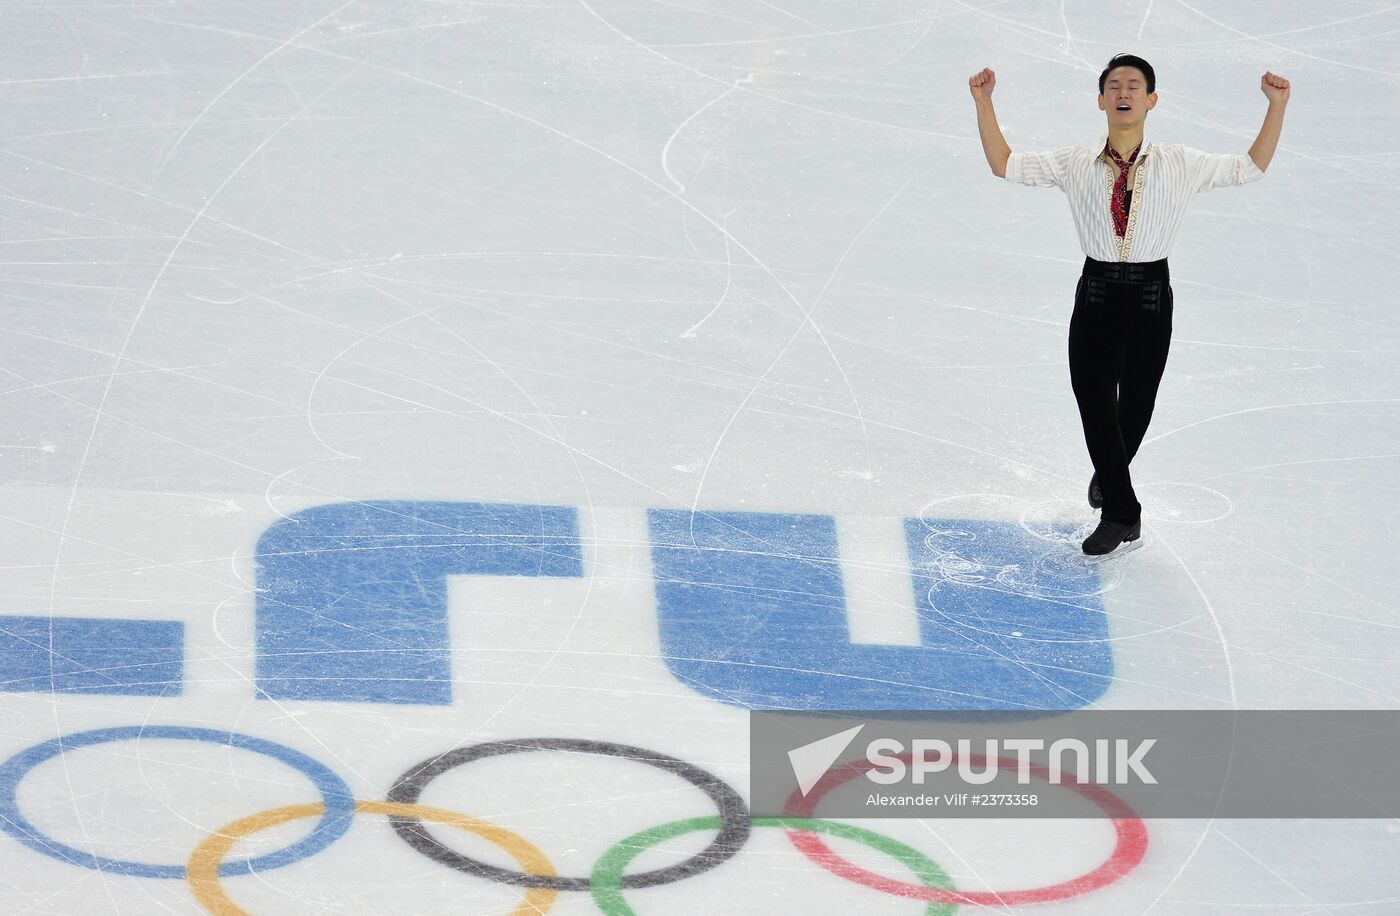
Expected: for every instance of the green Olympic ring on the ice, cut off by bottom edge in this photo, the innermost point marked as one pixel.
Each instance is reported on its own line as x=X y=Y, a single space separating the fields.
x=605 y=882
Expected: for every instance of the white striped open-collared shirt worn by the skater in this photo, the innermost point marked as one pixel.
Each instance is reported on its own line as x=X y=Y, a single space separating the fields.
x=1167 y=180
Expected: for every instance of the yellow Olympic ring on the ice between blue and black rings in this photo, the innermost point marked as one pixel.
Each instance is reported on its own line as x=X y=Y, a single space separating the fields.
x=209 y=855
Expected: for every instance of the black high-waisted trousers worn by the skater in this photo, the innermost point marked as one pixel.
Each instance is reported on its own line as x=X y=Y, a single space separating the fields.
x=1119 y=340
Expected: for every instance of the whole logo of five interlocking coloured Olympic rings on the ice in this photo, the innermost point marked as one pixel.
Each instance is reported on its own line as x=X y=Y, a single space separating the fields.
x=537 y=876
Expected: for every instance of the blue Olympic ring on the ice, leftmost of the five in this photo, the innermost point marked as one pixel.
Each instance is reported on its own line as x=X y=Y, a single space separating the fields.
x=339 y=802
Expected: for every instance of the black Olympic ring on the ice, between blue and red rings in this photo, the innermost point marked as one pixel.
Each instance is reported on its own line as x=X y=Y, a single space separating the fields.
x=734 y=813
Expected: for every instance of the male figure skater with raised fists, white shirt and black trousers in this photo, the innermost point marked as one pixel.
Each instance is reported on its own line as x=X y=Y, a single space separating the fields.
x=1128 y=198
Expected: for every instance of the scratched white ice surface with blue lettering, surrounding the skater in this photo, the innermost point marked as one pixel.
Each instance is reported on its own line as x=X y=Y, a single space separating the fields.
x=391 y=379
